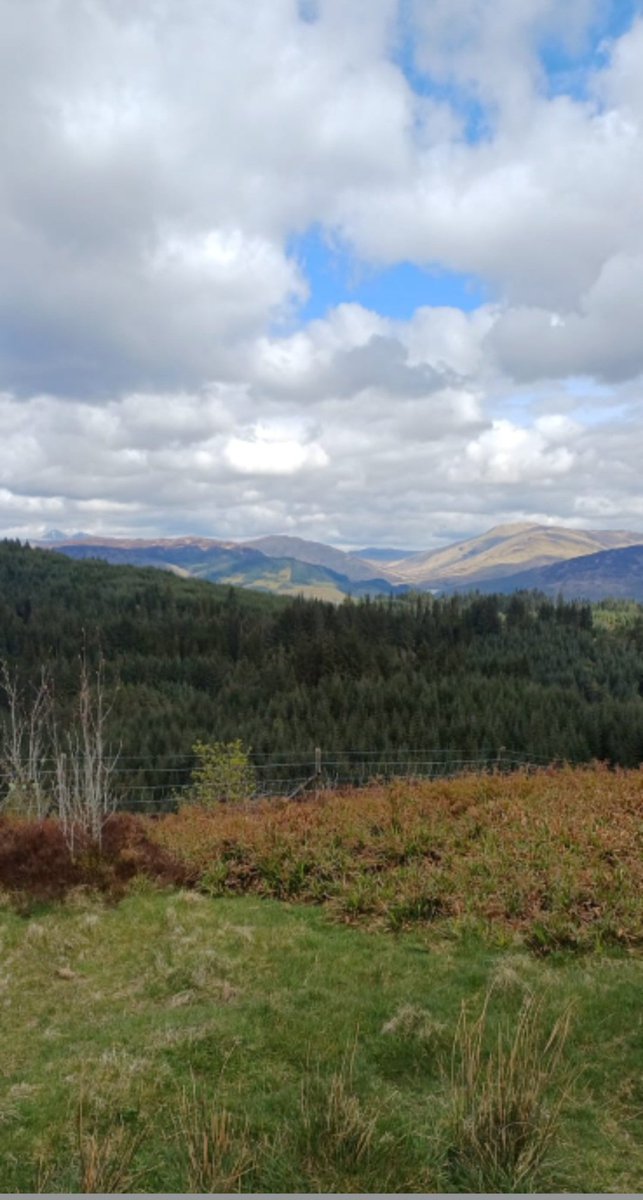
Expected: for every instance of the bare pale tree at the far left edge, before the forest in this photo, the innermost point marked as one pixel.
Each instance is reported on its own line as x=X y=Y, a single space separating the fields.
x=26 y=745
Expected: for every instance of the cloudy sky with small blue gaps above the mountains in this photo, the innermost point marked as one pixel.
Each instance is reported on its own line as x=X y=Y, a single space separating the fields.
x=365 y=272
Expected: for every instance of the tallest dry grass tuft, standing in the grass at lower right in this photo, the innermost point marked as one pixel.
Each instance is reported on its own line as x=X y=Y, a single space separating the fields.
x=507 y=1101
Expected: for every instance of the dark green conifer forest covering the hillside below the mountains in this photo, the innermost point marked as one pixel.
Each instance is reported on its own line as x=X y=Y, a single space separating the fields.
x=188 y=661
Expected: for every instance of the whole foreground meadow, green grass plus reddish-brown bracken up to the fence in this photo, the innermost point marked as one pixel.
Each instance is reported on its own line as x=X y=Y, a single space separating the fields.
x=455 y=1006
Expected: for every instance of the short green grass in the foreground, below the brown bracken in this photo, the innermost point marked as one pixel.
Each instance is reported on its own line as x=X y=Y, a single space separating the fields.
x=179 y=1043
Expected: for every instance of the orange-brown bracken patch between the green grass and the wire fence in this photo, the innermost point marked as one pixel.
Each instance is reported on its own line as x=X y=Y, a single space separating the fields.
x=555 y=857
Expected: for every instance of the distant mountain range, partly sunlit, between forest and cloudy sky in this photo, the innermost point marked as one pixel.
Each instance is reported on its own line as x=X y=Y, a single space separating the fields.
x=575 y=563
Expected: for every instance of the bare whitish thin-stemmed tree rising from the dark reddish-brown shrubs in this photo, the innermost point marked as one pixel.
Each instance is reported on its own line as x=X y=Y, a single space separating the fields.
x=85 y=766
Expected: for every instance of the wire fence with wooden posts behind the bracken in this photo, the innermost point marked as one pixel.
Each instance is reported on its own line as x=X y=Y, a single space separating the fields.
x=147 y=785
